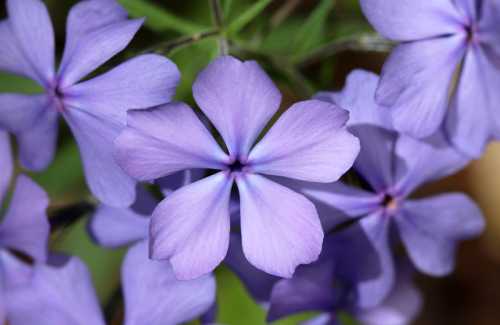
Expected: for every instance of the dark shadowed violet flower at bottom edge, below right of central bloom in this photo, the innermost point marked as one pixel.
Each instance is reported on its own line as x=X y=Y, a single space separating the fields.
x=332 y=285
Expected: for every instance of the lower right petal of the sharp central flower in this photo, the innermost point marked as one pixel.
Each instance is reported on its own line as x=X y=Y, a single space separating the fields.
x=277 y=237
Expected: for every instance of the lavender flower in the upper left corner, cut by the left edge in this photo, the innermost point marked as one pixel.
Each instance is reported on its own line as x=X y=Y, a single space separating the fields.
x=94 y=109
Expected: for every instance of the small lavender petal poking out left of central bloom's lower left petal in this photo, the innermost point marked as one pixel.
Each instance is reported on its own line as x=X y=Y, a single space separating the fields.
x=115 y=227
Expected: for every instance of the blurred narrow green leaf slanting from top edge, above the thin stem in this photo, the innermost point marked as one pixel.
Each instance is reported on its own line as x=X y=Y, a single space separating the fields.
x=312 y=32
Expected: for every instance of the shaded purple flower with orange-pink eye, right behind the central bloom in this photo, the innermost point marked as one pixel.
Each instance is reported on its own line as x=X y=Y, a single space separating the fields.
x=393 y=166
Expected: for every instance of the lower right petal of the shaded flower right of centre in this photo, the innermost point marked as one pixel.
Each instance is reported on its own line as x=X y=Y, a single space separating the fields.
x=431 y=229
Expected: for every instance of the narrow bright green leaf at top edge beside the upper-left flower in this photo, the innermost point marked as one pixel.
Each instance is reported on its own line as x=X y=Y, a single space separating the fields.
x=159 y=19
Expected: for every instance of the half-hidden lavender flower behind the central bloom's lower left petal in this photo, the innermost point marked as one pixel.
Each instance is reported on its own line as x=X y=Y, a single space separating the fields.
x=152 y=293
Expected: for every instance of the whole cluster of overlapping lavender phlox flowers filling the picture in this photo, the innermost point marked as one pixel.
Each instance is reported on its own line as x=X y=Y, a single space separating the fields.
x=246 y=184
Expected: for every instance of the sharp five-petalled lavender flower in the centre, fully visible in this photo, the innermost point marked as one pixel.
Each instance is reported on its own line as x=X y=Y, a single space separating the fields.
x=280 y=228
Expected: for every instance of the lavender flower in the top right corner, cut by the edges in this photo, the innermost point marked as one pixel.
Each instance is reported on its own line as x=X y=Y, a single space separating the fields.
x=437 y=39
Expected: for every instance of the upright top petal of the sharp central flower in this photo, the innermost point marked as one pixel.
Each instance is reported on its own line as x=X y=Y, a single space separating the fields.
x=238 y=98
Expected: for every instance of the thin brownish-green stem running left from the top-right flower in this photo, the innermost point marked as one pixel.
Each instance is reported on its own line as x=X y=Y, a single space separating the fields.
x=364 y=43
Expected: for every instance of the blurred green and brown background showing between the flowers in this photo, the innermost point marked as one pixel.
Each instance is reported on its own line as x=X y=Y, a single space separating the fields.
x=306 y=46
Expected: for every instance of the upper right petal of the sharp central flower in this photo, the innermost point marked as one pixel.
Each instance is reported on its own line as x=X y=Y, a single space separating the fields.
x=308 y=142
